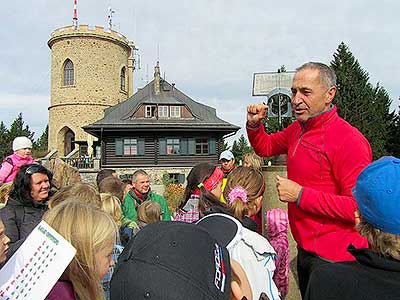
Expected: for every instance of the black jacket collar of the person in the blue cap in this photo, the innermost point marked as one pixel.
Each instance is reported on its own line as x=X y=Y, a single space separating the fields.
x=373 y=259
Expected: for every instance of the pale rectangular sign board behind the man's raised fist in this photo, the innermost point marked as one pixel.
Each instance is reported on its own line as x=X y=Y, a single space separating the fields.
x=264 y=83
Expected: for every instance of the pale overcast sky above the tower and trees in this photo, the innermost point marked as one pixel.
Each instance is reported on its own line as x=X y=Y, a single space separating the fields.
x=210 y=49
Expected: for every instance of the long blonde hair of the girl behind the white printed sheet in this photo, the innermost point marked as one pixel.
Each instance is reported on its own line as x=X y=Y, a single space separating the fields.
x=89 y=230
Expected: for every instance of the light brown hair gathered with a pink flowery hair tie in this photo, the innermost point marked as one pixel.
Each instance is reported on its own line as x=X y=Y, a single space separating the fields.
x=252 y=182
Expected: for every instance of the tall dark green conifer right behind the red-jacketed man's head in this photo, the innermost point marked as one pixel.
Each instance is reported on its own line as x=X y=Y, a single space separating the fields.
x=358 y=102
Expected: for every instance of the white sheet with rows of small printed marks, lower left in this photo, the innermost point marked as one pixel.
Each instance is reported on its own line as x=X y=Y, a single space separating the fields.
x=37 y=265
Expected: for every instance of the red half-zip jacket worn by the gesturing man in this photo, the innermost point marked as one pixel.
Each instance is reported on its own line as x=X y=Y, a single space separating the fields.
x=325 y=156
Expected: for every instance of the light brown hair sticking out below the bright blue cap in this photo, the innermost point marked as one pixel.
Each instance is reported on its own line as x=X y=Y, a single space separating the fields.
x=382 y=242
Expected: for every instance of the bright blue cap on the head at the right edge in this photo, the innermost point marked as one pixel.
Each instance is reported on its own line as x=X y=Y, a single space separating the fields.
x=377 y=192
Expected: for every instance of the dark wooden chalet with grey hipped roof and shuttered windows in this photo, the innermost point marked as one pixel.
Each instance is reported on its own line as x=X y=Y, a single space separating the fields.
x=159 y=126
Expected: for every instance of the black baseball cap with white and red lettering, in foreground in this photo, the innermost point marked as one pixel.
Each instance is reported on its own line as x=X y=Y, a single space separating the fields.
x=172 y=261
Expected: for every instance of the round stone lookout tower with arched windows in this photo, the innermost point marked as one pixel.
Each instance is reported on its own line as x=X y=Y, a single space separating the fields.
x=91 y=70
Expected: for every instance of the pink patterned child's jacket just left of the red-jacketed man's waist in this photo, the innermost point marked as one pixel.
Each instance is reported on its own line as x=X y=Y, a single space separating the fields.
x=276 y=225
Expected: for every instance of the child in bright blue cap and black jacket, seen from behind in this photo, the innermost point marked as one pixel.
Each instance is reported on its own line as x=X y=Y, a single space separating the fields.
x=376 y=272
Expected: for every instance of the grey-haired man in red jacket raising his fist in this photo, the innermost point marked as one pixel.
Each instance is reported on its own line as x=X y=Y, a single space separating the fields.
x=325 y=154
